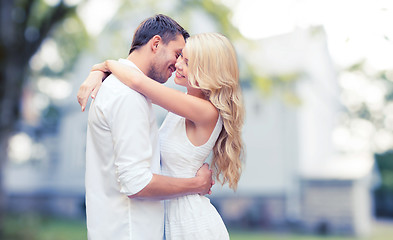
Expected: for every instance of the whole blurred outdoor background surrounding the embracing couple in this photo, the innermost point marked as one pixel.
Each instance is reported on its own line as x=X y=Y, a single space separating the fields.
x=317 y=81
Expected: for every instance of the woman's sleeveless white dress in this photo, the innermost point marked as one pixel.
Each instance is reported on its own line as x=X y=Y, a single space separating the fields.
x=192 y=216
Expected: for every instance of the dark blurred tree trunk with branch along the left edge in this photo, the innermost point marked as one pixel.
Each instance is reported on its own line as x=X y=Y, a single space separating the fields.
x=25 y=24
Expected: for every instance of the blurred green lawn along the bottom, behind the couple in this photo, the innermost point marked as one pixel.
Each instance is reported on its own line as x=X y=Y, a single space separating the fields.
x=36 y=227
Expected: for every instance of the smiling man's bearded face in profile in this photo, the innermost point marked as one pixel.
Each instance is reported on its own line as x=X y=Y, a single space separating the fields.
x=163 y=65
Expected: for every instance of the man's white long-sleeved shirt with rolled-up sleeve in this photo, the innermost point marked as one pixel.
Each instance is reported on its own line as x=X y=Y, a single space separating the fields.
x=122 y=152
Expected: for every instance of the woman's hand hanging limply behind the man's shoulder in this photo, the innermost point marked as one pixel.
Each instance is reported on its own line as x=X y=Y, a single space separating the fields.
x=90 y=86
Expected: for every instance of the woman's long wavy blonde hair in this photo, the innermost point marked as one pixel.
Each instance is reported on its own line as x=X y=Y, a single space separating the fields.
x=212 y=67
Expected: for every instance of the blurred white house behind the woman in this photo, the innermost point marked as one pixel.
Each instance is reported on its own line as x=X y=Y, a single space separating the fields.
x=294 y=176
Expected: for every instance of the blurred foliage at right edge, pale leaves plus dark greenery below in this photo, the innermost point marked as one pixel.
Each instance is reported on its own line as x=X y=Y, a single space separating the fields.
x=368 y=117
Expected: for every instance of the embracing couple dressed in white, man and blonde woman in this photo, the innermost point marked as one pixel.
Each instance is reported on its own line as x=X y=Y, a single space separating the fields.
x=129 y=168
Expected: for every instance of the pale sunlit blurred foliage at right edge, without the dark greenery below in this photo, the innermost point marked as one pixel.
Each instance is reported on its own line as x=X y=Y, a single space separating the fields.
x=370 y=98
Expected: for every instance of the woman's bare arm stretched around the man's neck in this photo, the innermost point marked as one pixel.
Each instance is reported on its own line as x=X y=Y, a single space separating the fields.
x=193 y=108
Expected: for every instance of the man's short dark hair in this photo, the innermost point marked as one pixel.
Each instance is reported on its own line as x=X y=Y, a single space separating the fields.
x=164 y=26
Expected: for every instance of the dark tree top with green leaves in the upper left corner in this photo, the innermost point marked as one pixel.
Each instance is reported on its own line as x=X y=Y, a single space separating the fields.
x=30 y=23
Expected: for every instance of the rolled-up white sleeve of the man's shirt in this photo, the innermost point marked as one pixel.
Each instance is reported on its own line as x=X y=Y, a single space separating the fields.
x=130 y=126
